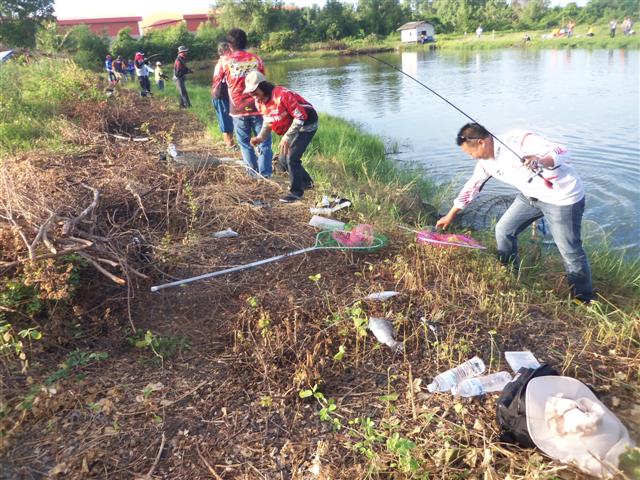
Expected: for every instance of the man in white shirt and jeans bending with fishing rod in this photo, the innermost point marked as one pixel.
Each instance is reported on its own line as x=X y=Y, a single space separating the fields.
x=557 y=194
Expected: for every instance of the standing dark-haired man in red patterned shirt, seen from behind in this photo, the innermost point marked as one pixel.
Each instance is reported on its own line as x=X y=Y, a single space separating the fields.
x=234 y=67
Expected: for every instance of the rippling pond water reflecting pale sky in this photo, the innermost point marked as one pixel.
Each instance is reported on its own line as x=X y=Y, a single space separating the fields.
x=588 y=101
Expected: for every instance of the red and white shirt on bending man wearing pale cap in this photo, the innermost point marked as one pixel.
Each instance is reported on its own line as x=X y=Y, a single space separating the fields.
x=286 y=113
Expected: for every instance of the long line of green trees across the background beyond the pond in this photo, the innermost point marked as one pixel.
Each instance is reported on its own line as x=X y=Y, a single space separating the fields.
x=272 y=25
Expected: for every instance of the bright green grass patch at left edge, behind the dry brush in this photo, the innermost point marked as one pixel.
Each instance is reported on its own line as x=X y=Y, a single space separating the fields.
x=32 y=95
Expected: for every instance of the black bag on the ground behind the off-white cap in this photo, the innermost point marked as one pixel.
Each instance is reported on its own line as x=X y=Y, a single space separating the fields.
x=511 y=412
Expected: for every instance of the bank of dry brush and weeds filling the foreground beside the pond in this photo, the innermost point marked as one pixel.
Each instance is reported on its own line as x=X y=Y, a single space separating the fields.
x=268 y=373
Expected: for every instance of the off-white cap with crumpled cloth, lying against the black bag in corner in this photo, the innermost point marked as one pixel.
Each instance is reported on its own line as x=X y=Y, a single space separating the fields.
x=568 y=423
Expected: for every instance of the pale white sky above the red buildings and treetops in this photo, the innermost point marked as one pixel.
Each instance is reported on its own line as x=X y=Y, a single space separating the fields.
x=66 y=9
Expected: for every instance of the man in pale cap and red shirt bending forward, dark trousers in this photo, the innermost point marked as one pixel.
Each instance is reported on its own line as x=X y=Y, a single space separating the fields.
x=288 y=114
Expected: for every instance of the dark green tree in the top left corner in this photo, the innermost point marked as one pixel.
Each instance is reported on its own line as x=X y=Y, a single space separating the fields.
x=19 y=20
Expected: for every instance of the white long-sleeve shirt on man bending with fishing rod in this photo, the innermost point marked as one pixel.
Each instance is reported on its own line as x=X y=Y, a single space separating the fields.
x=507 y=167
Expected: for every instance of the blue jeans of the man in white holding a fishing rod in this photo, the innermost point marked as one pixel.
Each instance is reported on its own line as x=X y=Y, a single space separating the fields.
x=564 y=221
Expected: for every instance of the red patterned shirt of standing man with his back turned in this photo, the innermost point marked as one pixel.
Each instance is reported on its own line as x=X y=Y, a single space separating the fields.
x=233 y=68
